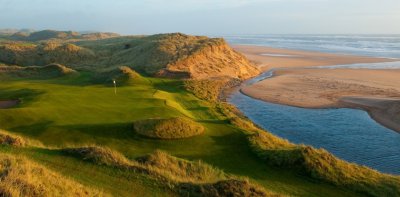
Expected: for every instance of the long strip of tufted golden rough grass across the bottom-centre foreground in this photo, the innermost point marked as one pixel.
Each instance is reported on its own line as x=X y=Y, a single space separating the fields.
x=187 y=178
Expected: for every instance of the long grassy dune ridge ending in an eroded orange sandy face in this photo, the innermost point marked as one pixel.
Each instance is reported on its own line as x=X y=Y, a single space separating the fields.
x=164 y=55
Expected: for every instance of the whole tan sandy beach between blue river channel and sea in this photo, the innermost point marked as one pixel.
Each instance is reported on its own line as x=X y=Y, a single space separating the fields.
x=375 y=91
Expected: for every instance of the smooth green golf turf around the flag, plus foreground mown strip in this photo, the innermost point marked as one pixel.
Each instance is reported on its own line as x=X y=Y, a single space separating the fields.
x=71 y=111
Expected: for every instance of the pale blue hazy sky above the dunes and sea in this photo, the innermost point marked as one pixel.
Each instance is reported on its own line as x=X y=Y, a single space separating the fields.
x=205 y=16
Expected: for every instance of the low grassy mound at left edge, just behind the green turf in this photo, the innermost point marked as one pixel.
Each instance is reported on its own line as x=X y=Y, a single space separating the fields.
x=35 y=72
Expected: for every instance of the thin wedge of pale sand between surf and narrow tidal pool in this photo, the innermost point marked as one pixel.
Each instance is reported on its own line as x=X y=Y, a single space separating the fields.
x=267 y=58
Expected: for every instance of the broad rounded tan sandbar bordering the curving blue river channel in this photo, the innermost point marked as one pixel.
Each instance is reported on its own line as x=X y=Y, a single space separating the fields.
x=376 y=91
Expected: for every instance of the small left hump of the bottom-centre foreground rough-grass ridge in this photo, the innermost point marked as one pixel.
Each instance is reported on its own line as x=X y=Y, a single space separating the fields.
x=99 y=155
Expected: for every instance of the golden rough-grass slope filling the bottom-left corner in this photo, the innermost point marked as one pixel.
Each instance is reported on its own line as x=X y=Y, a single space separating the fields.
x=22 y=177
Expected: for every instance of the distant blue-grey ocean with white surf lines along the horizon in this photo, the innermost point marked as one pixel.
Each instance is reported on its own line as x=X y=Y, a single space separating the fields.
x=366 y=45
